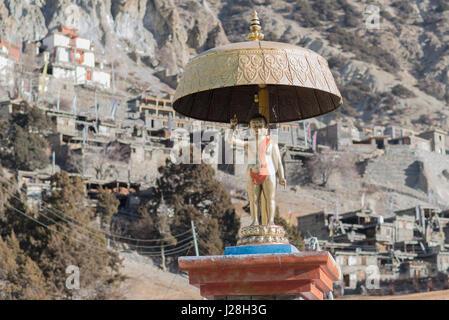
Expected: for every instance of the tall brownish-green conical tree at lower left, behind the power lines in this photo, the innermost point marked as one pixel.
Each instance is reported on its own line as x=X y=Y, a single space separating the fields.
x=98 y=267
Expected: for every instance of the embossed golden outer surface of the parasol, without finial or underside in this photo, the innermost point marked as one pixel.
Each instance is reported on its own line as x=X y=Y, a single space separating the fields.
x=256 y=62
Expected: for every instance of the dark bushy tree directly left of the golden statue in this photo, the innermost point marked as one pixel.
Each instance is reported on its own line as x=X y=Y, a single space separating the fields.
x=186 y=193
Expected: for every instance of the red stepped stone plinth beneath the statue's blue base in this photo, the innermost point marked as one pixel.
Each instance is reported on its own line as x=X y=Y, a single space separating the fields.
x=308 y=274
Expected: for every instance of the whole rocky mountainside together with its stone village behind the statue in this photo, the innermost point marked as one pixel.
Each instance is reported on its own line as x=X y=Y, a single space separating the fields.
x=107 y=88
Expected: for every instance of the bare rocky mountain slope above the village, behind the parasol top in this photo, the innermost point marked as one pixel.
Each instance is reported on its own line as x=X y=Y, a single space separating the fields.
x=397 y=73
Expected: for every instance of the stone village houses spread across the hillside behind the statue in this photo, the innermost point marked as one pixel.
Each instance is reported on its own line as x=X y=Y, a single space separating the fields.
x=116 y=140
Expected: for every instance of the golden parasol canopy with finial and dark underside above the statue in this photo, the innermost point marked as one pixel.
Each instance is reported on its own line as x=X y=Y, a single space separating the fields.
x=282 y=81
